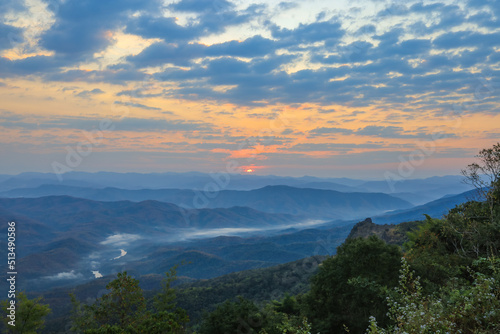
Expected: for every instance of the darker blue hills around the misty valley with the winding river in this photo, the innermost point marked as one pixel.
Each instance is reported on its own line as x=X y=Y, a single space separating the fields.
x=63 y=238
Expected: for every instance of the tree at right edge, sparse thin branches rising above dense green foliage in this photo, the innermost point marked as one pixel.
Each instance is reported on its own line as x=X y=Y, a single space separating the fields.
x=442 y=249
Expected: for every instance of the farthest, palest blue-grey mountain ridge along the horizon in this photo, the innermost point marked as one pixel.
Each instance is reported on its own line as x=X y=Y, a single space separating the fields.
x=421 y=190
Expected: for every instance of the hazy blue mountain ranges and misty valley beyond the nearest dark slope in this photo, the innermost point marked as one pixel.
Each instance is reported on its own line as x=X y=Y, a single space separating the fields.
x=85 y=226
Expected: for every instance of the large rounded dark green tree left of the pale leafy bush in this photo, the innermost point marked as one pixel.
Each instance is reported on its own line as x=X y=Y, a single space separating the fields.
x=351 y=286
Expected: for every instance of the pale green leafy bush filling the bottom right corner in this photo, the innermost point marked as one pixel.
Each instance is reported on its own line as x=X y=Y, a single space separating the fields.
x=455 y=309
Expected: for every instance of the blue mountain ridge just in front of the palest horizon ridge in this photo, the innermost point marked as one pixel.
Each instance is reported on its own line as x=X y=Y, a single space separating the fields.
x=312 y=203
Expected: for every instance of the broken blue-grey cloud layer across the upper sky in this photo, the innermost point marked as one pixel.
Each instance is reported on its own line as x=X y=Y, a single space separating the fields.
x=413 y=55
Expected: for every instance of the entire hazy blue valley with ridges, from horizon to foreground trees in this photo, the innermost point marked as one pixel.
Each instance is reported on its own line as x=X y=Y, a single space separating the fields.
x=77 y=235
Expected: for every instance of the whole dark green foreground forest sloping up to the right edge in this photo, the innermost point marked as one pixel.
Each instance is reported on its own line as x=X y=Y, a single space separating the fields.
x=444 y=279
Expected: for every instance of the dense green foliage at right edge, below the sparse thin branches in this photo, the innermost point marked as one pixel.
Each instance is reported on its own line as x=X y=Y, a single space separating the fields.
x=442 y=249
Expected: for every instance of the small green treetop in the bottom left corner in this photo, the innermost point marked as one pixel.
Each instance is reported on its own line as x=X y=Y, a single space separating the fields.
x=30 y=315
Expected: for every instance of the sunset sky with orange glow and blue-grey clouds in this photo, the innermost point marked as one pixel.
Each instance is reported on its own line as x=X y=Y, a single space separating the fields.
x=394 y=89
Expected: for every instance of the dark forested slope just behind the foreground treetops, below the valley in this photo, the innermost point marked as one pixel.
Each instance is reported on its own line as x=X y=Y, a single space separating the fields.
x=199 y=296
